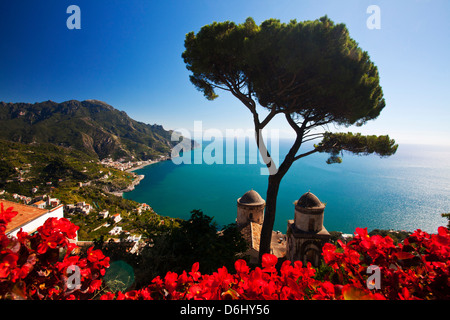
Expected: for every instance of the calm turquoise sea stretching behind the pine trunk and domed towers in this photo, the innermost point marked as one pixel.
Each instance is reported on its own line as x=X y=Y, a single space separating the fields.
x=406 y=191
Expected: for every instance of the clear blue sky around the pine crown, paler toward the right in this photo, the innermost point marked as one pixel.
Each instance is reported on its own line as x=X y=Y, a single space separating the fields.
x=128 y=54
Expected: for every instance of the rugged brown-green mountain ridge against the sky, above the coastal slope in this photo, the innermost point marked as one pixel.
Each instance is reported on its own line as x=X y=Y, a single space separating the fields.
x=91 y=126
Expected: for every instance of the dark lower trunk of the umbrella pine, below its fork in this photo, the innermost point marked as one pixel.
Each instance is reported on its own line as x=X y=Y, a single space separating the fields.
x=269 y=214
